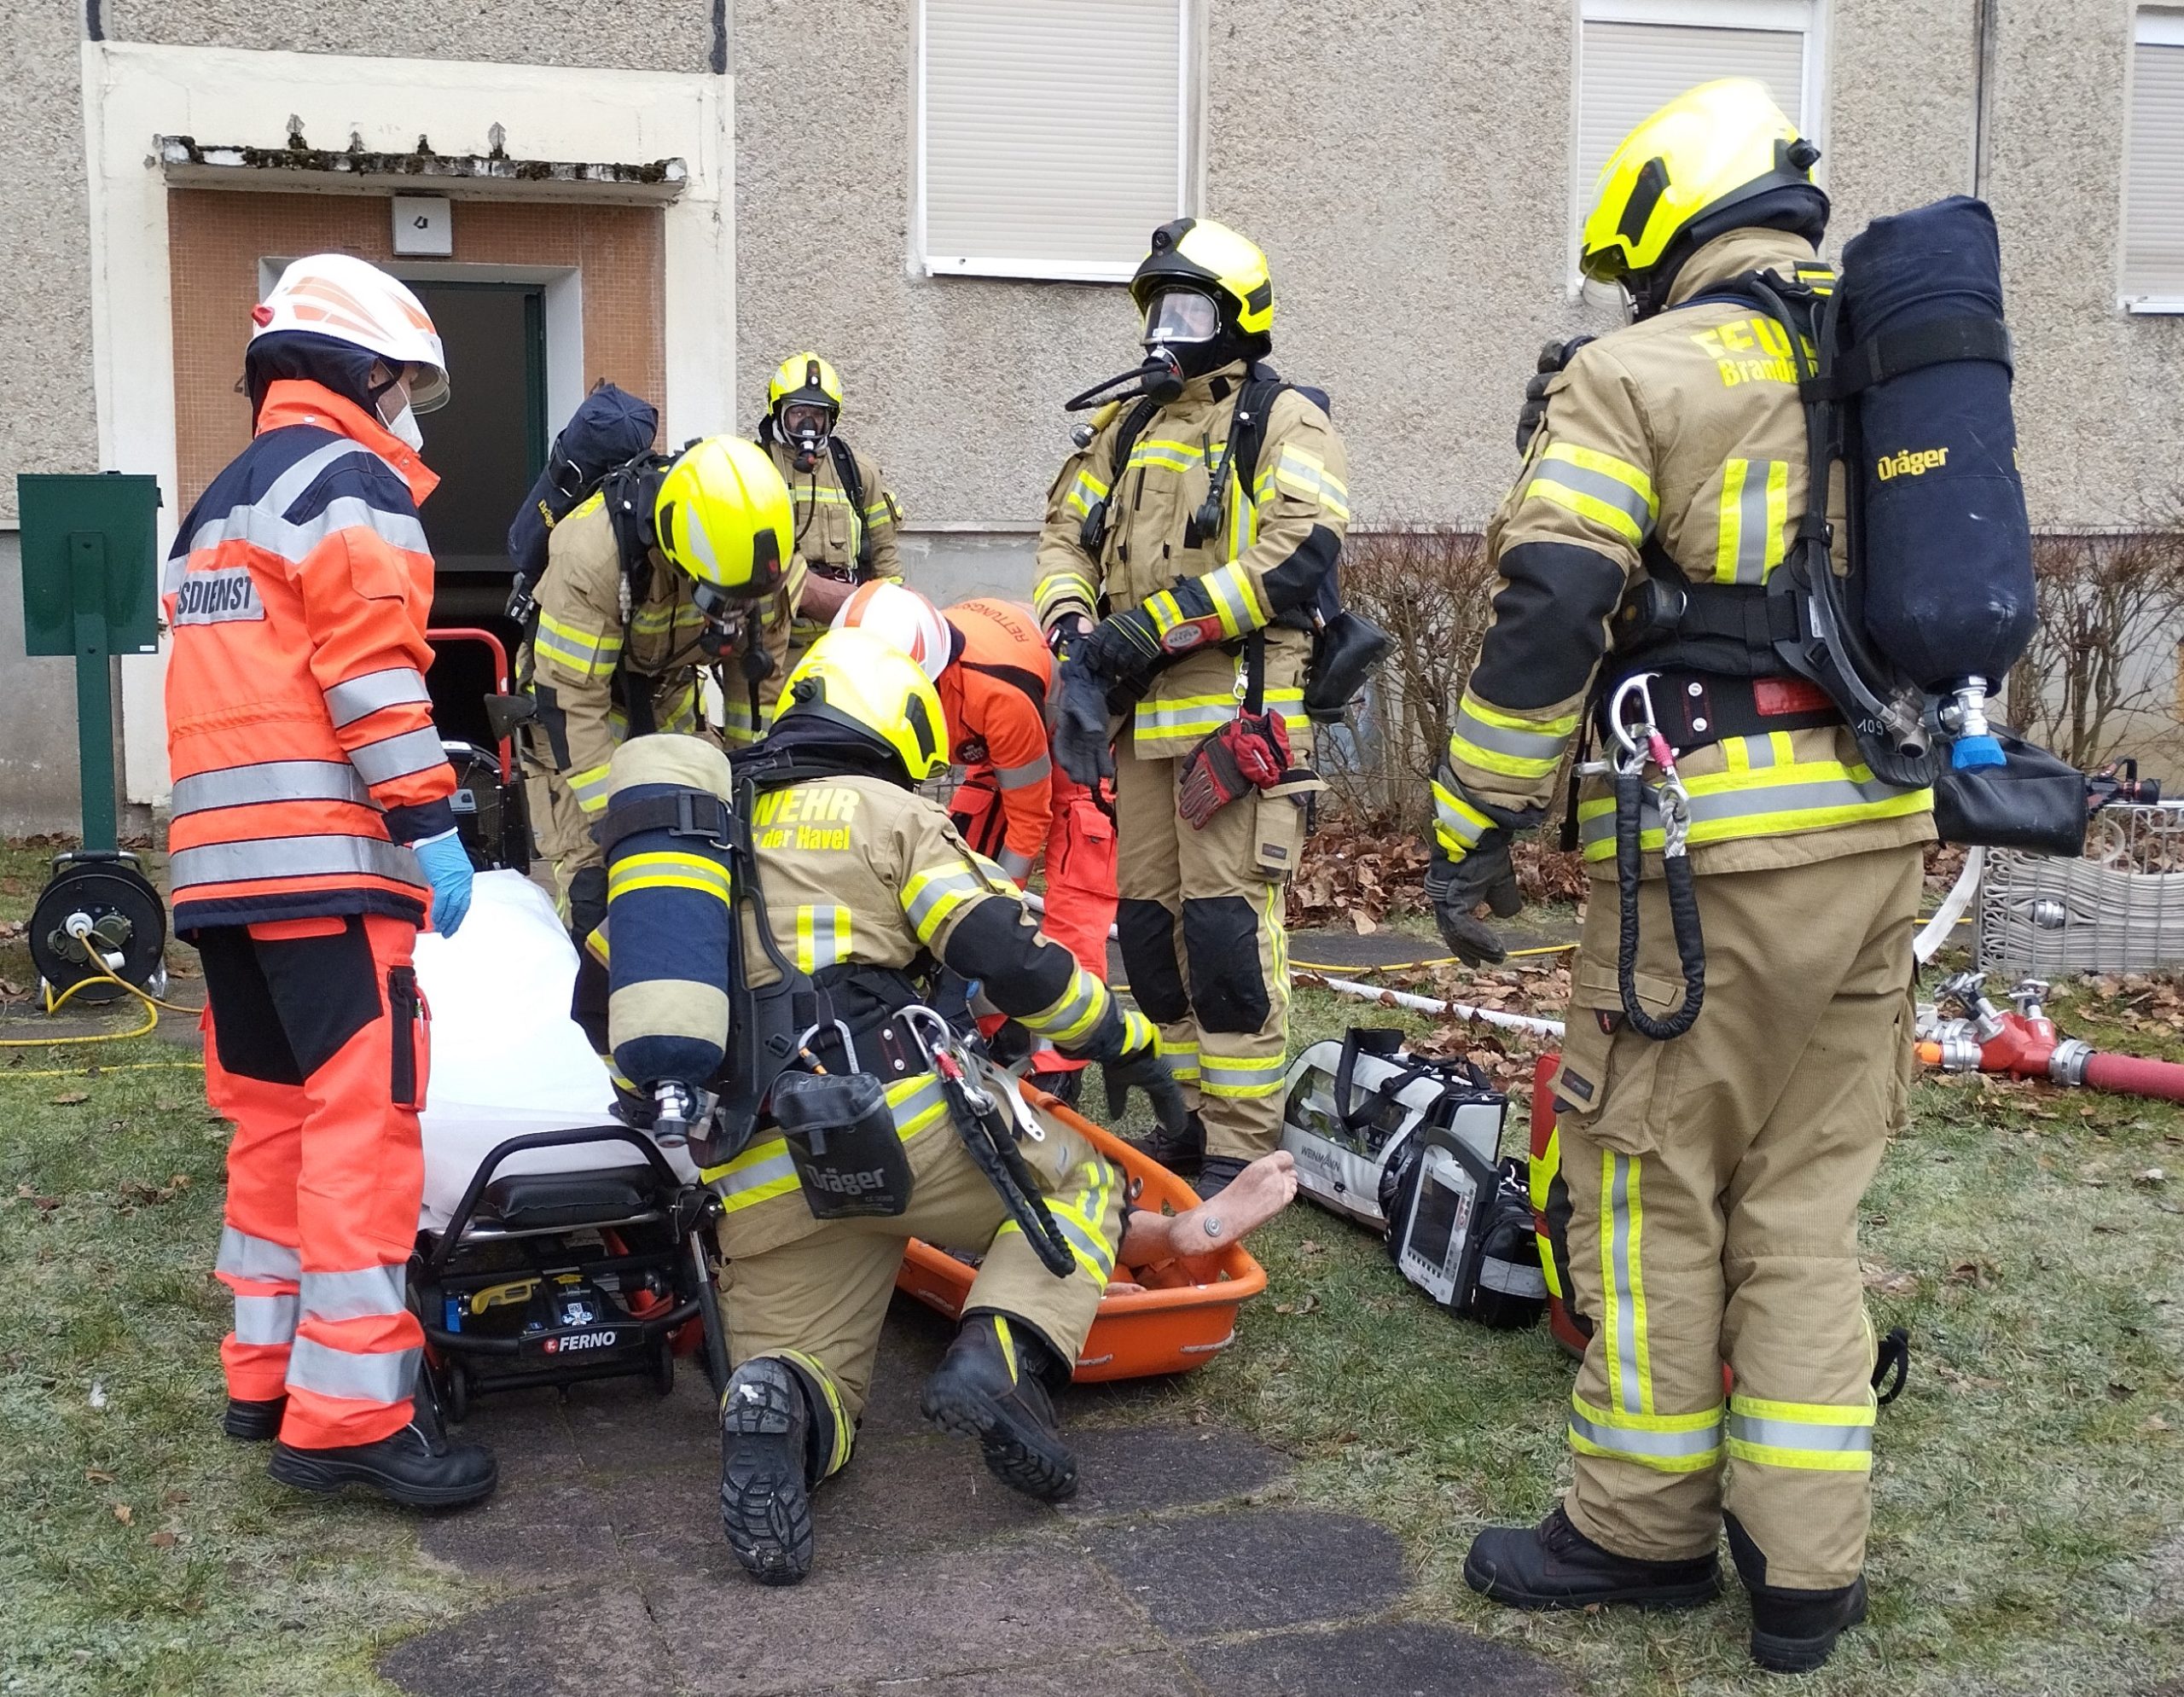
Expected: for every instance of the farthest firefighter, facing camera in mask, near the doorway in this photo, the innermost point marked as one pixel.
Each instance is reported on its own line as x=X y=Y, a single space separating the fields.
x=846 y=536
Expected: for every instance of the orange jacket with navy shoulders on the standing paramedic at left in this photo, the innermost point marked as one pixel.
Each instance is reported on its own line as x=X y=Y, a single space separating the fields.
x=298 y=726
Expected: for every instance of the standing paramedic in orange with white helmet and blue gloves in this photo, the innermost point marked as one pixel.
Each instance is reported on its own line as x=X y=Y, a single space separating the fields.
x=311 y=840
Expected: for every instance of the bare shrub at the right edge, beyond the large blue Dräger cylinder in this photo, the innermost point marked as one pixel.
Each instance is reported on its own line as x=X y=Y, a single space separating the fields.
x=2111 y=608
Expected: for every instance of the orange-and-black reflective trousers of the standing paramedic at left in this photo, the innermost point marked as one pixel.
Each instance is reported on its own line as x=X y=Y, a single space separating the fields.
x=316 y=1049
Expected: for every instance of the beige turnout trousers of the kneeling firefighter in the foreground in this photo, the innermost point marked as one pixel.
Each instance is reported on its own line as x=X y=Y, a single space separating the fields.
x=820 y=1298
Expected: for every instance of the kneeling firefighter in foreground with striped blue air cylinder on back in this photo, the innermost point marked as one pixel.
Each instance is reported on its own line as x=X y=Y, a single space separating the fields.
x=851 y=1115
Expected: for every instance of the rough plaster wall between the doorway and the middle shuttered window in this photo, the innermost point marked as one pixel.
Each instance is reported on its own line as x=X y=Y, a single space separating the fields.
x=953 y=385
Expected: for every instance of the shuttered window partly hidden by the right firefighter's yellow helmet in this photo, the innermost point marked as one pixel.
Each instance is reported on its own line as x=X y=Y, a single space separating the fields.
x=1637 y=56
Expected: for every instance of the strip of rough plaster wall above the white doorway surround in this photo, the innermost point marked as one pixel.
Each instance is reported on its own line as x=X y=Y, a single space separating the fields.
x=621 y=34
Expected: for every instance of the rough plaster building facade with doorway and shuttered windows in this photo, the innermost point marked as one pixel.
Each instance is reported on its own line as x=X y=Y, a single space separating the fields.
x=945 y=195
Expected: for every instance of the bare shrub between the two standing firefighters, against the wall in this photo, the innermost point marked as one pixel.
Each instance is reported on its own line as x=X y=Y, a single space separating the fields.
x=1429 y=589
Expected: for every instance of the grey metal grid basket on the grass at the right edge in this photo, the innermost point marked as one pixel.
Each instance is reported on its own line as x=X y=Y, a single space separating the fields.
x=2117 y=910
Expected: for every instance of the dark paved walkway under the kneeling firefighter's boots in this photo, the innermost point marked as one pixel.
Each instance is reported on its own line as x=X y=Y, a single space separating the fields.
x=1161 y=1580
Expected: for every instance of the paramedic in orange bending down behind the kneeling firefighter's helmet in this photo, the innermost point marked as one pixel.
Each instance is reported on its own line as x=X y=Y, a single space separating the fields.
x=990 y=665
